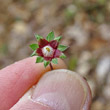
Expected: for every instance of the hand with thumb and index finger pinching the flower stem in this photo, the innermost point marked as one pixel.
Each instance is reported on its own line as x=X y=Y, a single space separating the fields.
x=56 y=90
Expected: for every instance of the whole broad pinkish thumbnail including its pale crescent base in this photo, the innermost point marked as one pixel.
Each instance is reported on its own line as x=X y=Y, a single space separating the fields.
x=61 y=90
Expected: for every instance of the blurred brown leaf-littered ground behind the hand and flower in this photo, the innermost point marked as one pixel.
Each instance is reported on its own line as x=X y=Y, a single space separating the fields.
x=84 y=25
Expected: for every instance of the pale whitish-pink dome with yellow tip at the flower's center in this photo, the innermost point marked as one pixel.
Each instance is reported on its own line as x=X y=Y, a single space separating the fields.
x=48 y=51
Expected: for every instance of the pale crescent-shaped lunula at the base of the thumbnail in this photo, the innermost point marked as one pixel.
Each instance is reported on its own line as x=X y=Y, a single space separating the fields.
x=55 y=100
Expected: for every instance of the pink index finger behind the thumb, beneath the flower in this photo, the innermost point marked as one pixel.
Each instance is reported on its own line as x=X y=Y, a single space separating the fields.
x=17 y=78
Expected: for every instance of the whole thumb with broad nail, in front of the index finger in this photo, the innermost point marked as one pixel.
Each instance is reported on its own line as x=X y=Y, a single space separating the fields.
x=57 y=90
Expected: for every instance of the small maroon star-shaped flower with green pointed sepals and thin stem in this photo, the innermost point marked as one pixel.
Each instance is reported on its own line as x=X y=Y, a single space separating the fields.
x=48 y=50
